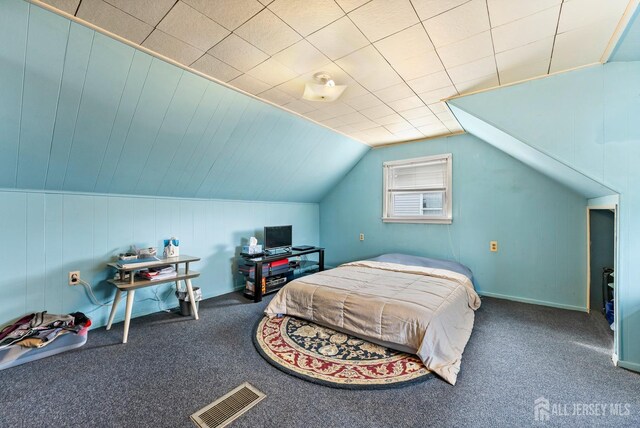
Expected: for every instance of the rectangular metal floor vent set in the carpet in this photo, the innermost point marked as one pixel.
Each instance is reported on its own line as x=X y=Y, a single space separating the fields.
x=228 y=408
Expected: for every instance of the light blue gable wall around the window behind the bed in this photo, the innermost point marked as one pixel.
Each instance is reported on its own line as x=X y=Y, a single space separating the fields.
x=538 y=223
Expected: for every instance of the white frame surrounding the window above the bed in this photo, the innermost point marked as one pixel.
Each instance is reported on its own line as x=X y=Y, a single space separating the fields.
x=386 y=196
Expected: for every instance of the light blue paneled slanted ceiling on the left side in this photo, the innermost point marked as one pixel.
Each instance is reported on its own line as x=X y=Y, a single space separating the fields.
x=82 y=112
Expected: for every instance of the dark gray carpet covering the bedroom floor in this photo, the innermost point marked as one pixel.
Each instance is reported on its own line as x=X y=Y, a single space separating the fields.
x=173 y=366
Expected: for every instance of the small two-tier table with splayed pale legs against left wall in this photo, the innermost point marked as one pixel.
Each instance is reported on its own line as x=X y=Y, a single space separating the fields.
x=131 y=284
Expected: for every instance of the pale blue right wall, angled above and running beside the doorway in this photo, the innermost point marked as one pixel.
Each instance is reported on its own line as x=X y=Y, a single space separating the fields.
x=587 y=119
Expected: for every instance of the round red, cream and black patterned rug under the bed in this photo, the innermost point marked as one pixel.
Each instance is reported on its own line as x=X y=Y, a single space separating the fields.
x=321 y=355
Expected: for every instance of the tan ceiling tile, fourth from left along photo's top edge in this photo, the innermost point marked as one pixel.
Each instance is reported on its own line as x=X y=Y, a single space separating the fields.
x=228 y=13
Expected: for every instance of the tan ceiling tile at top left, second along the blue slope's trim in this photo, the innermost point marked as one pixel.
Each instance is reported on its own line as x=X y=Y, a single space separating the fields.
x=114 y=20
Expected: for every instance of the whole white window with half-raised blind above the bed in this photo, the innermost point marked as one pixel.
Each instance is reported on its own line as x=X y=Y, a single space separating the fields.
x=418 y=190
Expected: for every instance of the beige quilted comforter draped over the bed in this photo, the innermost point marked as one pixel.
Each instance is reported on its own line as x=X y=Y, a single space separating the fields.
x=428 y=312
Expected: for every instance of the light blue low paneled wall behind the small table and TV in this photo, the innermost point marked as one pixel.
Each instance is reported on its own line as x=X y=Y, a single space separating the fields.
x=46 y=235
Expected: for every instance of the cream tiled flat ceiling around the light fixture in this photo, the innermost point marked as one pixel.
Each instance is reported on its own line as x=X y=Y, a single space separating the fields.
x=399 y=58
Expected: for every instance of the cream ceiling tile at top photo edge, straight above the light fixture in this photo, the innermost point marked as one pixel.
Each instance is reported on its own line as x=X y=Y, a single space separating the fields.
x=305 y=19
